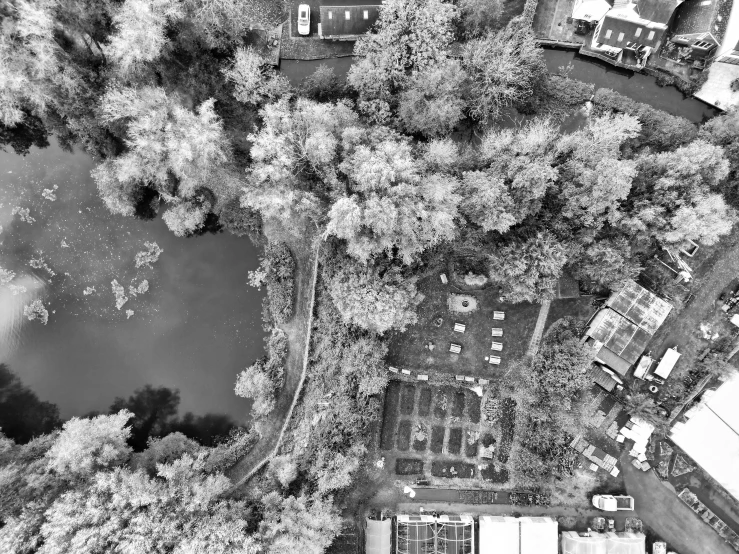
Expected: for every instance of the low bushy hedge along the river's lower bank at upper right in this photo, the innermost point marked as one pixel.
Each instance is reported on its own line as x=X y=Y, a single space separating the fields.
x=660 y=130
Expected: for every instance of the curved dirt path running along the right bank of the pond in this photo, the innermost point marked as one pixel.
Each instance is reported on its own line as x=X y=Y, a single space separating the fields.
x=298 y=332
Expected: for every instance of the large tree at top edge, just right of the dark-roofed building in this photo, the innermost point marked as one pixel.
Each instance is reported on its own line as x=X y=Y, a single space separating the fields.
x=409 y=35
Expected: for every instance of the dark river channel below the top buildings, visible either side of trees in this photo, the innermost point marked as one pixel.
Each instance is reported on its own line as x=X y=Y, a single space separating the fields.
x=641 y=88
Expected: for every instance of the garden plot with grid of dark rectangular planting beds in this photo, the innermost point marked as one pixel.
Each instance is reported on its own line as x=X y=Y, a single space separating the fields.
x=440 y=433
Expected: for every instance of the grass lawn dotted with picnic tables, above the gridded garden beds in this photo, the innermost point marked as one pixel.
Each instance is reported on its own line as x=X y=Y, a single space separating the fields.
x=408 y=349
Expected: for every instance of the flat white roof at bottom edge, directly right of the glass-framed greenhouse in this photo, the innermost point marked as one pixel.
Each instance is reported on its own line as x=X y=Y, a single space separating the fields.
x=511 y=535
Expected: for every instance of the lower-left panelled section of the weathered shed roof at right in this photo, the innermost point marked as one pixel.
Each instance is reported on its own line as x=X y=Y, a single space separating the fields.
x=619 y=335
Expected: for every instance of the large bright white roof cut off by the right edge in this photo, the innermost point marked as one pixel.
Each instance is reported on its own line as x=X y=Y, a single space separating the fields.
x=710 y=436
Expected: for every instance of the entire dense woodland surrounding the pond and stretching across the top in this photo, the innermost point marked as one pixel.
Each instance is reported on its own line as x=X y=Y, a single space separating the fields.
x=395 y=170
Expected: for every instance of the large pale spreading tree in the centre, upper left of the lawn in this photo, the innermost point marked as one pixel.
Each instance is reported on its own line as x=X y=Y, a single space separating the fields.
x=392 y=207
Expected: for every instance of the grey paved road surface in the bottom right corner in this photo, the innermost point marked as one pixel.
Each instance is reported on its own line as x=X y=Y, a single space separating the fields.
x=668 y=516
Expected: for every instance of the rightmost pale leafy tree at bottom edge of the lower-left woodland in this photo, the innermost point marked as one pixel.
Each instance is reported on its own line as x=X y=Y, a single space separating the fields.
x=302 y=524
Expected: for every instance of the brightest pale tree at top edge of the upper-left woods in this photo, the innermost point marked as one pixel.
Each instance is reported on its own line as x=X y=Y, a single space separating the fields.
x=141 y=27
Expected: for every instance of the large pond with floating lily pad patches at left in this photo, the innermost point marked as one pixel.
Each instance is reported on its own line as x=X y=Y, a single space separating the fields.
x=195 y=328
